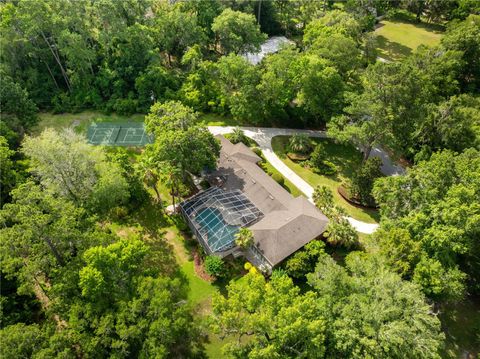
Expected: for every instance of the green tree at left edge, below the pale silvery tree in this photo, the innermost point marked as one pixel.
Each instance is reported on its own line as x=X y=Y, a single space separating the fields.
x=41 y=233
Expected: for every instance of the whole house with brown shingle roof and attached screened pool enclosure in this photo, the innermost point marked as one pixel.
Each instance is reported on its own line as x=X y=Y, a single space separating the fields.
x=243 y=195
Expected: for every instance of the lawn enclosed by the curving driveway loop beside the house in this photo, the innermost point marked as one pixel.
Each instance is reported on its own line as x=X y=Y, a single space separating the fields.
x=345 y=157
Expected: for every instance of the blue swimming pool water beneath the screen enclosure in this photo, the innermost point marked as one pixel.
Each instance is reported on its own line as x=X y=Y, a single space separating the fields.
x=219 y=234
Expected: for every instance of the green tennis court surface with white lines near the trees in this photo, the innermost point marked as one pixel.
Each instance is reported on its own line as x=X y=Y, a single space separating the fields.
x=118 y=134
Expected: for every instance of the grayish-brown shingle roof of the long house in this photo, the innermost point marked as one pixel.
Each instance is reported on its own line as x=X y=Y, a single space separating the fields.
x=289 y=223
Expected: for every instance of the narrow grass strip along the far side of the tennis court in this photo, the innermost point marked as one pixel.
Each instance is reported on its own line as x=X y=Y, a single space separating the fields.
x=80 y=120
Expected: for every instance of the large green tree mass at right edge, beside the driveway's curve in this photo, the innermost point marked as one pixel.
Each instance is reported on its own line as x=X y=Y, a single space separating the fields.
x=436 y=205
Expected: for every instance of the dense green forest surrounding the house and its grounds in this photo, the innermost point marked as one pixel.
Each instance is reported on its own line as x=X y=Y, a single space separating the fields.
x=78 y=282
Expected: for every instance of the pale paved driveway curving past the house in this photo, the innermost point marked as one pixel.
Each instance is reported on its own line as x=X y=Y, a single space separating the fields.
x=263 y=136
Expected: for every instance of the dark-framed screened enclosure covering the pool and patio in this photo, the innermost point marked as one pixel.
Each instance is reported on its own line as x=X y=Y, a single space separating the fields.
x=215 y=216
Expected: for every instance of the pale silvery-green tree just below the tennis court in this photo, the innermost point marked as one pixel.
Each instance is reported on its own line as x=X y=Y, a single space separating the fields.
x=68 y=166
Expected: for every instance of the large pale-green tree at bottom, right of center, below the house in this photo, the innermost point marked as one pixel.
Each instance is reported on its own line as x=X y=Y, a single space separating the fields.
x=371 y=312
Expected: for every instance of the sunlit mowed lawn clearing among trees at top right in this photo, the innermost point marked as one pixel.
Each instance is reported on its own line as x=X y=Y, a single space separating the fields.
x=399 y=38
